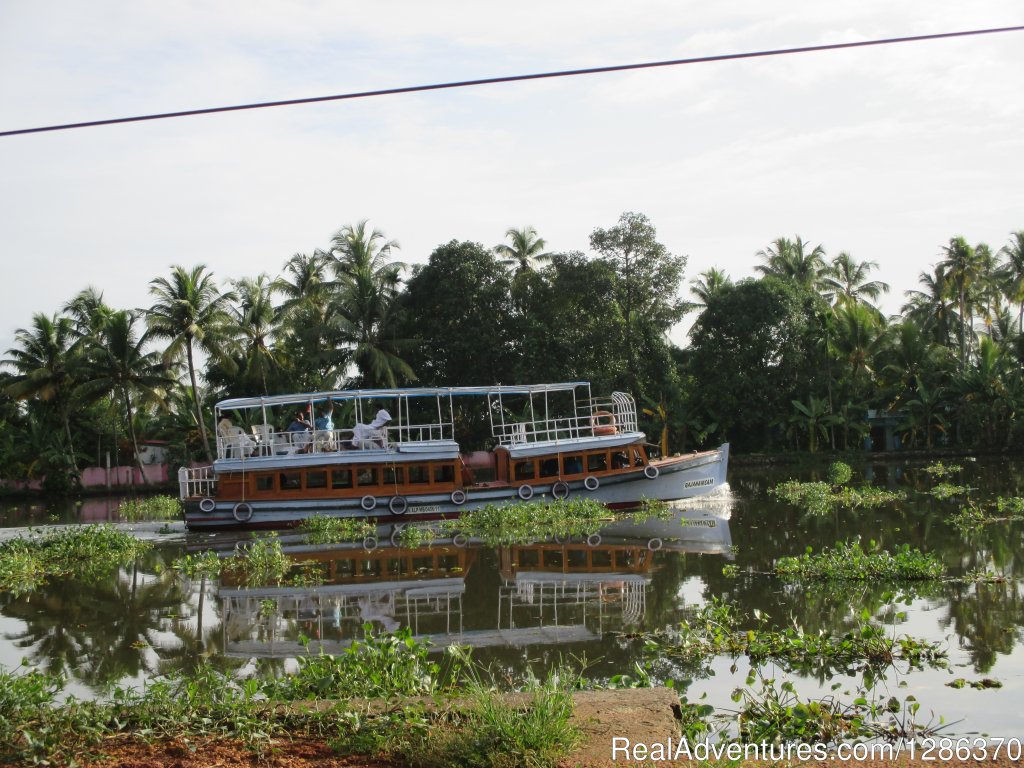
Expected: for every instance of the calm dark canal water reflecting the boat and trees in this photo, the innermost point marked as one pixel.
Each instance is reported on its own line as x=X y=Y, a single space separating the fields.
x=534 y=606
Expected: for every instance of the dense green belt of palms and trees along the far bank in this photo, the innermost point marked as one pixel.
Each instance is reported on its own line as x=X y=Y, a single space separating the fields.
x=797 y=359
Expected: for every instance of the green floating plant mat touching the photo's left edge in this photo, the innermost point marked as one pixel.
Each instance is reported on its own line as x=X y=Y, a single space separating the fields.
x=88 y=552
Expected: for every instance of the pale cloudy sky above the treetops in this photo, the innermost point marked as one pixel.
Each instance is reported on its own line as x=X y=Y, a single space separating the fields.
x=885 y=153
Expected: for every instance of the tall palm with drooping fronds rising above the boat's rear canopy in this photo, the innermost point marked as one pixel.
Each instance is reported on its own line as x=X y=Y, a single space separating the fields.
x=365 y=302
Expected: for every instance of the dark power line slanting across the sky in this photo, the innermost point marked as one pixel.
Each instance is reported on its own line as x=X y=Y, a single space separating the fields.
x=510 y=79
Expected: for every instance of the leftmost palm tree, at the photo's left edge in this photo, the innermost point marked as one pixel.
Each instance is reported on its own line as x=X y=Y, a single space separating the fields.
x=48 y=365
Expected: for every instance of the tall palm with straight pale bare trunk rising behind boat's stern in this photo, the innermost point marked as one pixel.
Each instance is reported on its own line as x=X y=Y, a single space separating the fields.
x=192 y=314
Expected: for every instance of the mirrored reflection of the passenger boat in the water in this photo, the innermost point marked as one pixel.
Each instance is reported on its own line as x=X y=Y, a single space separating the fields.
x=548 y=593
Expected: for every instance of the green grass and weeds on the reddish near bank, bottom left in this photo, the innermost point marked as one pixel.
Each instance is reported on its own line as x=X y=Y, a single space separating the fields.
x=534 y=732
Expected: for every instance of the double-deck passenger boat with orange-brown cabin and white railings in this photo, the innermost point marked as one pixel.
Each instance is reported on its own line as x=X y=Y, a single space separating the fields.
x=545 y=441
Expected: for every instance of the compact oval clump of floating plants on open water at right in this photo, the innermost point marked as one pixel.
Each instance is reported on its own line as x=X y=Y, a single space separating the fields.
x=849 y=562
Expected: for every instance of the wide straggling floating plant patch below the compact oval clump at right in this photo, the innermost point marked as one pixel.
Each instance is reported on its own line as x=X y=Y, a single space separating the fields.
x=717 y=630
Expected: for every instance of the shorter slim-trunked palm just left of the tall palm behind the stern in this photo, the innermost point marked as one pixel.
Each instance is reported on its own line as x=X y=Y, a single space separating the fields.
x=119 y=366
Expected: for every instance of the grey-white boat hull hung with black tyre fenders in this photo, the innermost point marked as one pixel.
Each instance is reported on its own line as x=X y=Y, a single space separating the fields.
x=676 y=478
